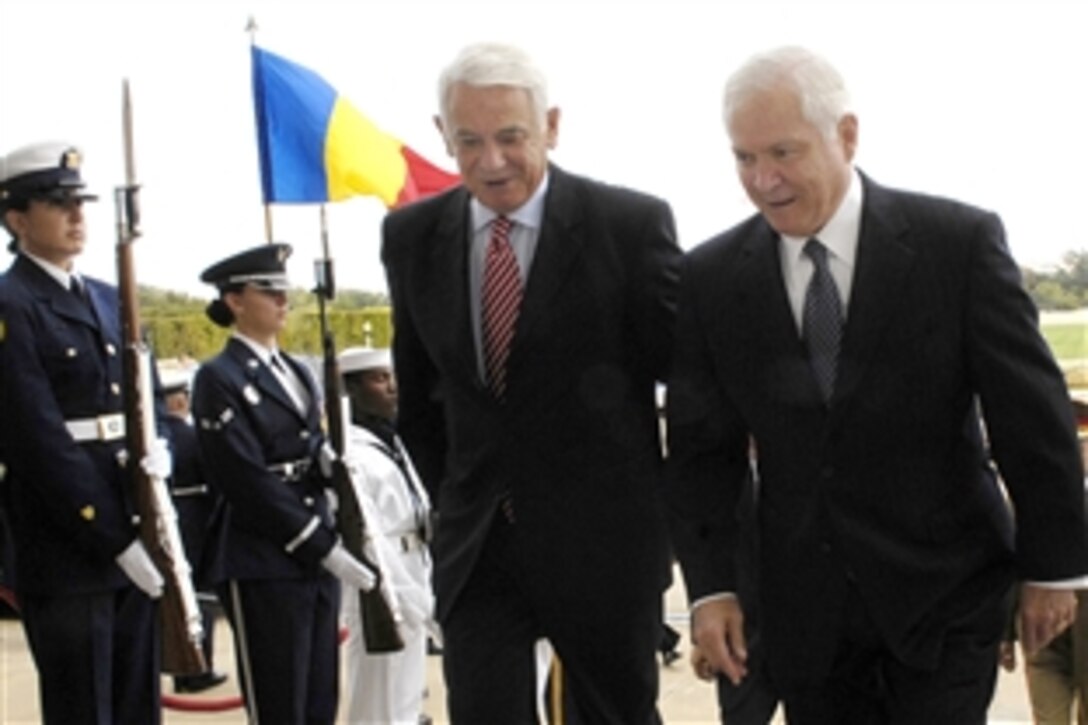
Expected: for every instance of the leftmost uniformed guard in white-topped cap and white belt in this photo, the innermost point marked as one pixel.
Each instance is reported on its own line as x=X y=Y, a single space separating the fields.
x=85 y=584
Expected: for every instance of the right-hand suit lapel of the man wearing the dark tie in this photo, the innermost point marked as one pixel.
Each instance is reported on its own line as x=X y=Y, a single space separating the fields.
x=885 y=259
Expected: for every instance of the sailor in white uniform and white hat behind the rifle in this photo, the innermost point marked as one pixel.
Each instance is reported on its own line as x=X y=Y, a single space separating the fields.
x=387 y=689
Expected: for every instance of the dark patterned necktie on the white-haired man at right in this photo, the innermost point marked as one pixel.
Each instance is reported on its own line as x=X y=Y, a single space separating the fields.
x=822 y=323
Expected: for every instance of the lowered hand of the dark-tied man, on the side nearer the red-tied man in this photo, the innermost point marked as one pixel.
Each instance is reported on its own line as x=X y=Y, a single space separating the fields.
x=718 y=630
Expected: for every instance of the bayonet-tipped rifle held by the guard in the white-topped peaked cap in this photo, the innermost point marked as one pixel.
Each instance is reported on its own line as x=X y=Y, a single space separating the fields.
x=180 y=615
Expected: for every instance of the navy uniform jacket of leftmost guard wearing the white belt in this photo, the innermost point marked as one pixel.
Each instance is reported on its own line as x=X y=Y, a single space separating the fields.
x=68 y=503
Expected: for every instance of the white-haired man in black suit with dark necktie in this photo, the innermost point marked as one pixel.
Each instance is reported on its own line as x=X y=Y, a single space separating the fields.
x=860 y=365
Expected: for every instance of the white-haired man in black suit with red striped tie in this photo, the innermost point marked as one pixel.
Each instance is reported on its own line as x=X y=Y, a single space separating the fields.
x=542 y=456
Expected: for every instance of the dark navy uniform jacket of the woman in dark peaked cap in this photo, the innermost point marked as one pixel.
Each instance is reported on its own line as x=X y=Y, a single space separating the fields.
x=246 y=423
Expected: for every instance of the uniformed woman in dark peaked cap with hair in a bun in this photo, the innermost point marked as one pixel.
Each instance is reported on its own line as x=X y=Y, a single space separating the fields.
x=258 y=419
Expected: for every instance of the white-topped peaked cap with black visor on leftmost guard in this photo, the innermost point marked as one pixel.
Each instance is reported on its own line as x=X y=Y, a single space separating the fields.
x=48 y=170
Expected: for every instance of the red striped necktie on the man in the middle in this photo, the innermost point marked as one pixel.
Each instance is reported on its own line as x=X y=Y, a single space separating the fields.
x=501 y=302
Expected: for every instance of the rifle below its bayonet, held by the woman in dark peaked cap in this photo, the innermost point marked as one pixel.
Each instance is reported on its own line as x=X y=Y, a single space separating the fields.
x=380 y=633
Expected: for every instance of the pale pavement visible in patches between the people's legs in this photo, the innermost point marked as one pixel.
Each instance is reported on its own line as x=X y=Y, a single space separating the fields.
x=684 y=701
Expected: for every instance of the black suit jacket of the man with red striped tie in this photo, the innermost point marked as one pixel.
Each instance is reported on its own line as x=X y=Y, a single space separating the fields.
x=576 y=443
